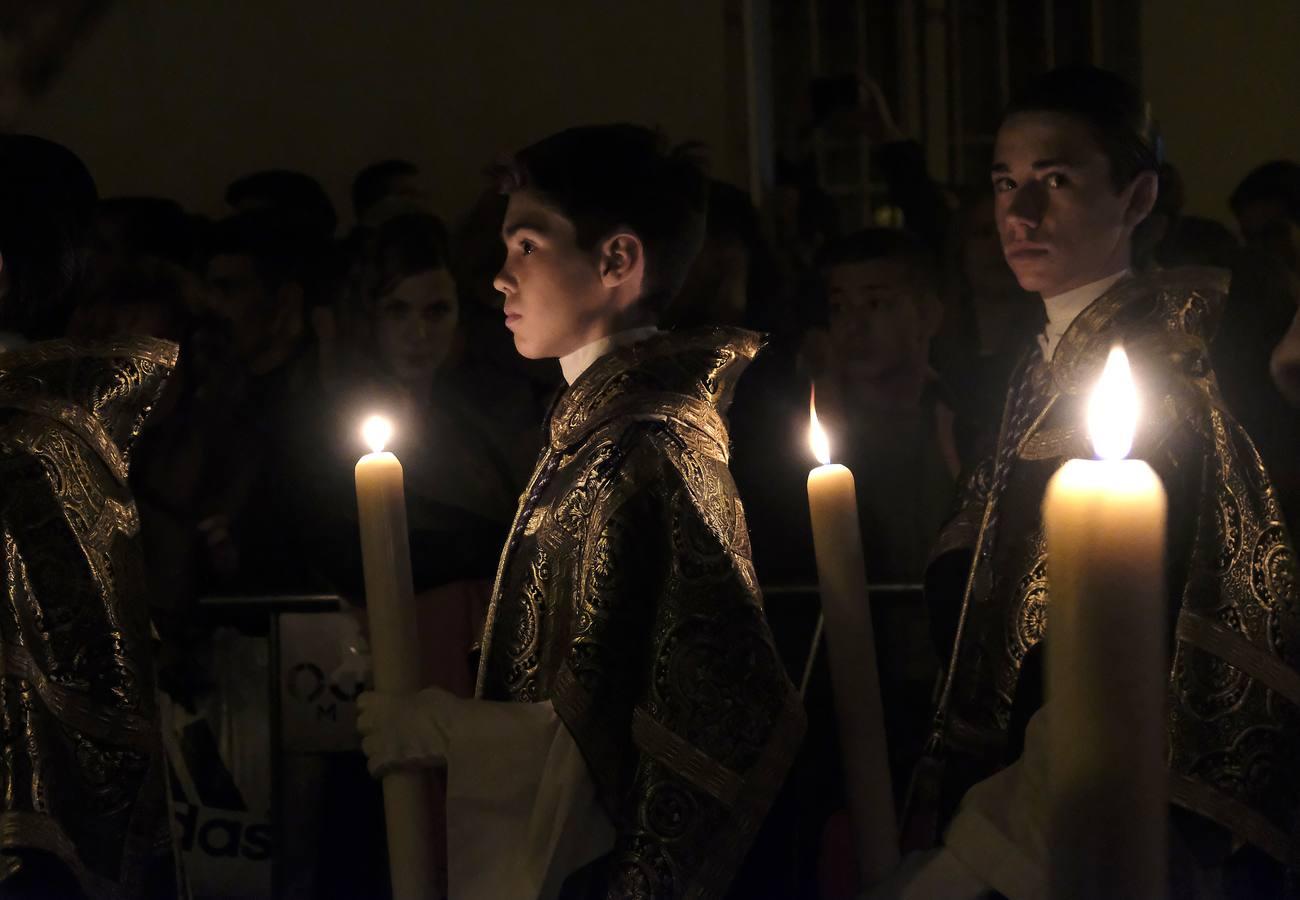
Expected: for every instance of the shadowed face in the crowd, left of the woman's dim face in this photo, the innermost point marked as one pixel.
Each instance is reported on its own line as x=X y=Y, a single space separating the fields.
x=262 y=317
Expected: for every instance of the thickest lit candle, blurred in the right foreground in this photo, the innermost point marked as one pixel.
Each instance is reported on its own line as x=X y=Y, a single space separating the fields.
x=1107 y=665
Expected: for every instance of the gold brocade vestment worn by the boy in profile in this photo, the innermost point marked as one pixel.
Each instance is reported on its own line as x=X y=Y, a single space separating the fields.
x=627 y=598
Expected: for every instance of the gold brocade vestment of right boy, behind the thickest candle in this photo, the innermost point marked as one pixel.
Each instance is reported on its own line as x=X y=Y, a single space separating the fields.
x=1234 y=617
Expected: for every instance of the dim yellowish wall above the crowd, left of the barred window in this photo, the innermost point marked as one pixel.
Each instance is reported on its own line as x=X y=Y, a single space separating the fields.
x=177 y=98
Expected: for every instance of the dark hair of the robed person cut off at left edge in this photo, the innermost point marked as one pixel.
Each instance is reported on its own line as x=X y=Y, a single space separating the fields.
x=47 y=201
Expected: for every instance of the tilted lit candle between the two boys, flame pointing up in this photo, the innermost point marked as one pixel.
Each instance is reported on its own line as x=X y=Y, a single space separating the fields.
x=852 y=656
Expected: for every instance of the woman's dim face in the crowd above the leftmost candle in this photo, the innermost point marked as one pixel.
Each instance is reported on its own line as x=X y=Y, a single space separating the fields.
x=417 y=324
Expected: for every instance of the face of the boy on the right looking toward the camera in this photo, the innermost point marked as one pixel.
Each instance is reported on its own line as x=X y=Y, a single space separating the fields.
x=1060 y=218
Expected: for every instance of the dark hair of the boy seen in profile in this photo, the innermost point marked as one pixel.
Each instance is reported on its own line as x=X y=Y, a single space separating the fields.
x=606 y=178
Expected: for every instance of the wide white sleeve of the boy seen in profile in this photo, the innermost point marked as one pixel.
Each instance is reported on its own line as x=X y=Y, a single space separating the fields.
x=522 y=808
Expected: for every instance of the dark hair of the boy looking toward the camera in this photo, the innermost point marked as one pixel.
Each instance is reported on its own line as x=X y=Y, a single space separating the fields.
x=1113 y=110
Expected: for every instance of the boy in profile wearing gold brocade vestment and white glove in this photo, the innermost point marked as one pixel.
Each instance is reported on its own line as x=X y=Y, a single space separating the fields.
x=632 y=720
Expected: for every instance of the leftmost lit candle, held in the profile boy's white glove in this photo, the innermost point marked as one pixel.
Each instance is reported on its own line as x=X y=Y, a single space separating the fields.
x=391 y=609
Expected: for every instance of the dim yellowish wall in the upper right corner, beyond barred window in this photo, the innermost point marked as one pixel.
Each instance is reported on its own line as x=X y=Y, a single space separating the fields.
x=1224 y=77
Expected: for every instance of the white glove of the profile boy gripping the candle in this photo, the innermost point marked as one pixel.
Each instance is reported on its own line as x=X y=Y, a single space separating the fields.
x=406 y=730
